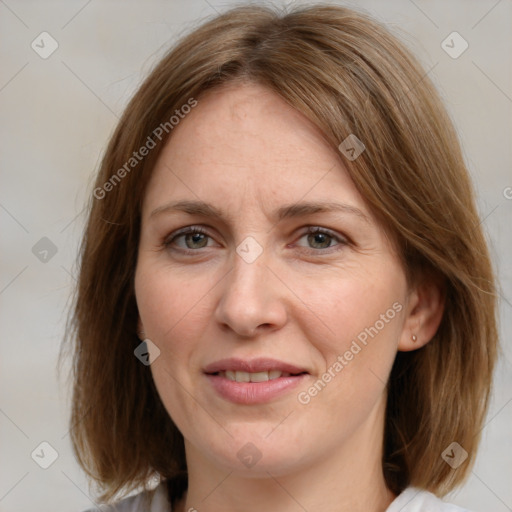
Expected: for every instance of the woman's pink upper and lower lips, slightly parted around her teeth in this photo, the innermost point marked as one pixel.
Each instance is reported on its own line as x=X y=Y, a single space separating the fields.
x=253 y=393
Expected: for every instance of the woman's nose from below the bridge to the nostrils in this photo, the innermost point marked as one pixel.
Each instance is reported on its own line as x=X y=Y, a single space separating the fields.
x=253 y=299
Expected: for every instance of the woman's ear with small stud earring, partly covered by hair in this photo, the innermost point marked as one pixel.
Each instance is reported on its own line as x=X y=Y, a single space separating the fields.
x=423 y=314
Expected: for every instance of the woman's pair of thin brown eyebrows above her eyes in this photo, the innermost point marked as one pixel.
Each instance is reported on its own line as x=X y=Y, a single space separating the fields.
x=285 y=212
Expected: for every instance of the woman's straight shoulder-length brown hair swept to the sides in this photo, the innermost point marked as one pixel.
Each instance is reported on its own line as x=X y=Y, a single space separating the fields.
x=349 y=75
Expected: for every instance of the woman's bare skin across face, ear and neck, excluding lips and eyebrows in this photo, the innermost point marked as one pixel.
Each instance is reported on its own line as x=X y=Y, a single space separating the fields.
x=303 y=301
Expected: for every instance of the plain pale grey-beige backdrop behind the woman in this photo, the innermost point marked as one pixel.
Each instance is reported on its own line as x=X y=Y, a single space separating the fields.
x=57 y=114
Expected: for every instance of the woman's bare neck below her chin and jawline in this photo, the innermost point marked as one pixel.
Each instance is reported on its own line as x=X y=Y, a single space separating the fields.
x=347 y=479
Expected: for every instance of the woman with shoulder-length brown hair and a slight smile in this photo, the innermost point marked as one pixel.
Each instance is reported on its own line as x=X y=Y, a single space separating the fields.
x=285 y=299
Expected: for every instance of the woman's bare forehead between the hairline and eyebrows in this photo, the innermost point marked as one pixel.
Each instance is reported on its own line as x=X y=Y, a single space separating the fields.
x=243 y=142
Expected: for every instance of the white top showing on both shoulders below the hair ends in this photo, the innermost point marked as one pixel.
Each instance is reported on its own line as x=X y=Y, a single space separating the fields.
x=411 y=500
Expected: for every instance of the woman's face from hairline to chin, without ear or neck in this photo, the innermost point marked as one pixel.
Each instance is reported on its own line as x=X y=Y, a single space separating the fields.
x=259 y=259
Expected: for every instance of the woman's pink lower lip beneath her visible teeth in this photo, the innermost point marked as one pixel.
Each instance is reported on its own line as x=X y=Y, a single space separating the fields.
x=249 y=393
